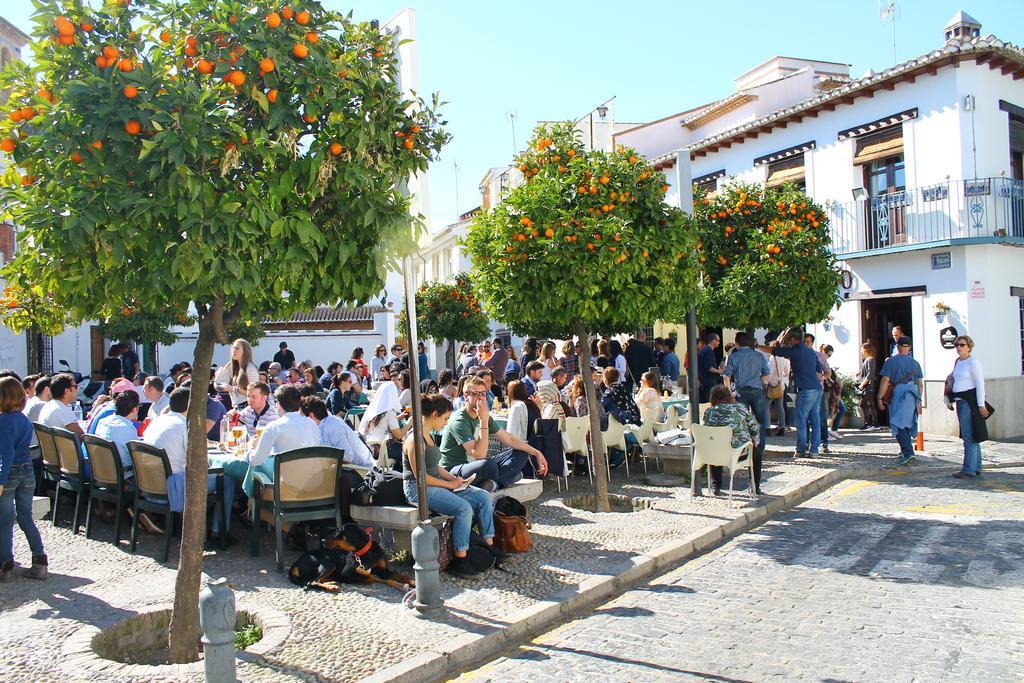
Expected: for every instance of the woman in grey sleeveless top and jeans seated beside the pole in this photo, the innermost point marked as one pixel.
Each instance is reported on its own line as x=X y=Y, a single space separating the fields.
x=443 y=497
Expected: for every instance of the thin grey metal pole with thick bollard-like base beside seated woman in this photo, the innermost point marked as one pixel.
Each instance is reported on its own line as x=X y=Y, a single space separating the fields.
x=426 y=545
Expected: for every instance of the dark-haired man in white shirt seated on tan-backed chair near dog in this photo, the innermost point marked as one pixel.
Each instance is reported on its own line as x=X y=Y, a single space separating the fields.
x=292 y=431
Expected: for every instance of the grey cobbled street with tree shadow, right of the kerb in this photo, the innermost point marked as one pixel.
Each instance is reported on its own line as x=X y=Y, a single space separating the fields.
x=915 y=578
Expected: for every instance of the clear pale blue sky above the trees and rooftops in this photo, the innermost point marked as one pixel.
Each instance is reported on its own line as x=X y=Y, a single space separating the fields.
x=558 y=60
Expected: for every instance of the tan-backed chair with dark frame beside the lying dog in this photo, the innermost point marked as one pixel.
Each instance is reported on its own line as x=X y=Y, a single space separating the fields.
x=305 y=488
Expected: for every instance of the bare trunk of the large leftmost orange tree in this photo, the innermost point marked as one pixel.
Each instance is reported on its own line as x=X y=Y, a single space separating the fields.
x=184 y=634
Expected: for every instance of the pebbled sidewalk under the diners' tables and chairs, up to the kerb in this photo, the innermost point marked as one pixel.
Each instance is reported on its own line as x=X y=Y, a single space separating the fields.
x=363 y=630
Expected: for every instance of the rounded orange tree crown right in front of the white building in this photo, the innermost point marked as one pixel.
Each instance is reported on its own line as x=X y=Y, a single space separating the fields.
x=765 y=259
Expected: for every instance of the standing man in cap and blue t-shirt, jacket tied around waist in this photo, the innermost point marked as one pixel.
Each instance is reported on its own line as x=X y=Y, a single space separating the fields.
x=905 y=375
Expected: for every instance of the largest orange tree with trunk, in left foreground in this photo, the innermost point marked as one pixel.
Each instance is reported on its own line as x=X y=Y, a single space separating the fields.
x=244 y=158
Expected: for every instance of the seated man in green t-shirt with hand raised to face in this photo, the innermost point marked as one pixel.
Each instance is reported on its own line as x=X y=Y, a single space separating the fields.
x=464 y=445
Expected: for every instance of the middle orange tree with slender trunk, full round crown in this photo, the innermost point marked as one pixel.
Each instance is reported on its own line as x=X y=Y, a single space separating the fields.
x=586 y=244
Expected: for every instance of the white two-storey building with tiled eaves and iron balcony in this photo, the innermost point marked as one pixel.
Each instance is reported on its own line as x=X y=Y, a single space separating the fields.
x=920 y=167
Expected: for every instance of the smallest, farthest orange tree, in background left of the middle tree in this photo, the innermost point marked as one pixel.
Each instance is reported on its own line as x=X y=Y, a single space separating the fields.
x=449 y=312
